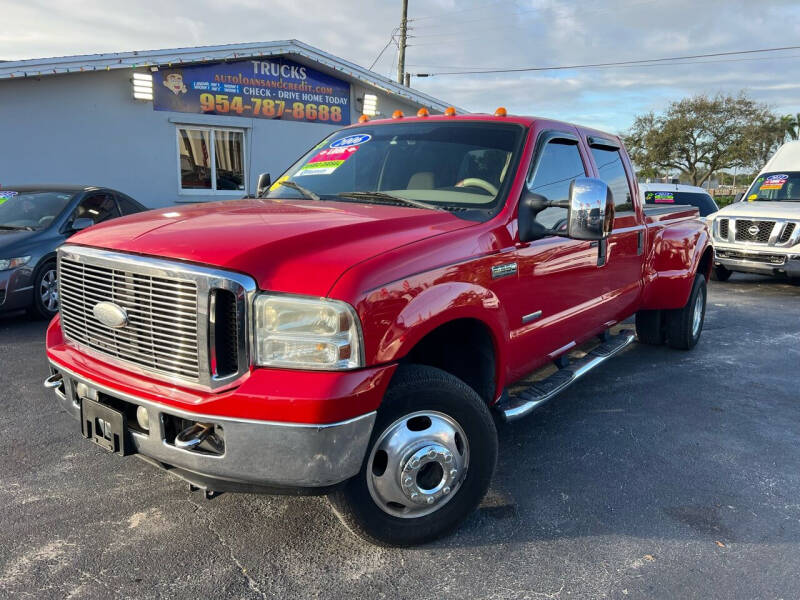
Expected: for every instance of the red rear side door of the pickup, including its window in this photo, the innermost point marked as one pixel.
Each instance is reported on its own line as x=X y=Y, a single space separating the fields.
x=621 y=255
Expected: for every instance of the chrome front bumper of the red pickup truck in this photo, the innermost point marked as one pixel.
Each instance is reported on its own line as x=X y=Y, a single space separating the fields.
x=258 y=453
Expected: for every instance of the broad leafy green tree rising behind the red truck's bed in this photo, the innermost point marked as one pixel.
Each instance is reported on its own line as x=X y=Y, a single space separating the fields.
x=701 y=135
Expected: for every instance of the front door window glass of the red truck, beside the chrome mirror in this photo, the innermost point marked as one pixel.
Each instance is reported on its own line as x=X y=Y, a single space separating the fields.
x=558 y=166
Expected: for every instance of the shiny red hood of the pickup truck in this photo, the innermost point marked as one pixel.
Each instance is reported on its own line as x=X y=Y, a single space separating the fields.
x=298 y=246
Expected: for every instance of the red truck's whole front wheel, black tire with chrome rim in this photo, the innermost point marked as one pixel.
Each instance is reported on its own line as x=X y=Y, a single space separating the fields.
x=429 y=463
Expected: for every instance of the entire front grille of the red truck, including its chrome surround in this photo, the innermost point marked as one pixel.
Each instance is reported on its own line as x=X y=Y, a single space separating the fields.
x=168 y=333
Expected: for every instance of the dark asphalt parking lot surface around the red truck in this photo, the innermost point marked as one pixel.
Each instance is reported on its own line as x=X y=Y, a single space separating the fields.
x=665 y=474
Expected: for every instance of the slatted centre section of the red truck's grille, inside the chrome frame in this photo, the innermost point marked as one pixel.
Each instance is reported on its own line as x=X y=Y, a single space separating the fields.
x=161 y=333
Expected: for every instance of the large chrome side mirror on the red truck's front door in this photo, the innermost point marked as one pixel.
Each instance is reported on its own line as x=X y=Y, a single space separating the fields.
x=591 y=209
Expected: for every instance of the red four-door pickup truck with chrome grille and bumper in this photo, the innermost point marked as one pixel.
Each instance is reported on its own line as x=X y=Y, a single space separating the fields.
x=356 y=330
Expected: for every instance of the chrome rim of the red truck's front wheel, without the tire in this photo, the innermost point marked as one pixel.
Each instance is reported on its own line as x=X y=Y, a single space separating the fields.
x=418 y=464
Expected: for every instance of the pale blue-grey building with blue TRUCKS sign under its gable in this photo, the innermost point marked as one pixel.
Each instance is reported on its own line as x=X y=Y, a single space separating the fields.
x=183 y=124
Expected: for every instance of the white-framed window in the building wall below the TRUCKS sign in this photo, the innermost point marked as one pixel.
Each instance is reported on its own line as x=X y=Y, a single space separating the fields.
x=211 y=161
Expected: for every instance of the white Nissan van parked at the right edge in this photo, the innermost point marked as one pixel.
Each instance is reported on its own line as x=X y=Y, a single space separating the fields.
x=761 y=234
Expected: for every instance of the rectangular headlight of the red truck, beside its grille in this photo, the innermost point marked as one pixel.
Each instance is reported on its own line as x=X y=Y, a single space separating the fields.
x=306 y=333
